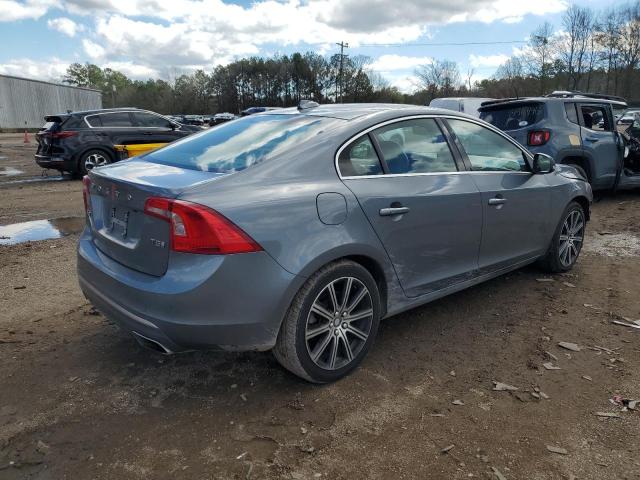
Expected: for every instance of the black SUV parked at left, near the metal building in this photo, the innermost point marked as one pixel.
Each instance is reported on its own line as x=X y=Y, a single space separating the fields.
x=78 y=141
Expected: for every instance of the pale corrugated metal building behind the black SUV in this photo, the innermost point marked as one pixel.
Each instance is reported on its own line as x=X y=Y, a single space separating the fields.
x=24 y=102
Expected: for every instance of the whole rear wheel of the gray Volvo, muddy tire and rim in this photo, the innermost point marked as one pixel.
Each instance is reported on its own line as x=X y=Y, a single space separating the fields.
x=331 y=324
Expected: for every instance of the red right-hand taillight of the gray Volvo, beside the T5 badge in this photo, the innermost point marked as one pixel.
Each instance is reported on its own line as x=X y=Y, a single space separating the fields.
x=199 y=229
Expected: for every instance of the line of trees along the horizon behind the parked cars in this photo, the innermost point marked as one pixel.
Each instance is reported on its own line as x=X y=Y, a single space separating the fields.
x=592 y=51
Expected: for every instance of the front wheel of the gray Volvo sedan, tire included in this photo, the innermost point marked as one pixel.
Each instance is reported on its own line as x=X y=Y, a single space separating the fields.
x=567 y=240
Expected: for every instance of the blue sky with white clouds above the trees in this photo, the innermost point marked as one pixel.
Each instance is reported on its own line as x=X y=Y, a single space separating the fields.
x=158 y=38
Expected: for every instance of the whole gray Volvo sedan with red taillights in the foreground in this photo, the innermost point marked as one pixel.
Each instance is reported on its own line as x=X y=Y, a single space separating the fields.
x=299 y=229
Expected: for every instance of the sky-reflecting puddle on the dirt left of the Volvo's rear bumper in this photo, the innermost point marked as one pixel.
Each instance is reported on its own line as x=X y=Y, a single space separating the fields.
x=40 y=230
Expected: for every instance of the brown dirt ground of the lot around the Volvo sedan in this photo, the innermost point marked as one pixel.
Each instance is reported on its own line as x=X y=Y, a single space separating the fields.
x=79 y=400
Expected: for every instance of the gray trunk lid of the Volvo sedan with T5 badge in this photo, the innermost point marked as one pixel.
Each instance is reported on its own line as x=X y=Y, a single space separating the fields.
x=121 y=230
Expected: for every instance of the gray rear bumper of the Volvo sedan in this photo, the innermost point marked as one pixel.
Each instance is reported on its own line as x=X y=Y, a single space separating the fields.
x=231 y=302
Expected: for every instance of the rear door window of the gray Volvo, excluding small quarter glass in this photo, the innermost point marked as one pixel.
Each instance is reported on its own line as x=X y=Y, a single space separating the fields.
x=415 y=146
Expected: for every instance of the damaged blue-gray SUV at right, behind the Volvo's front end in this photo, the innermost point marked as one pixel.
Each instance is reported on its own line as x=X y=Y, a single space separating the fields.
x=574 y=128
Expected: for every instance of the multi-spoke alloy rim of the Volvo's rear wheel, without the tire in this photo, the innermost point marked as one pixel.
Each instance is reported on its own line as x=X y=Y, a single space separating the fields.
x=339 y=323
